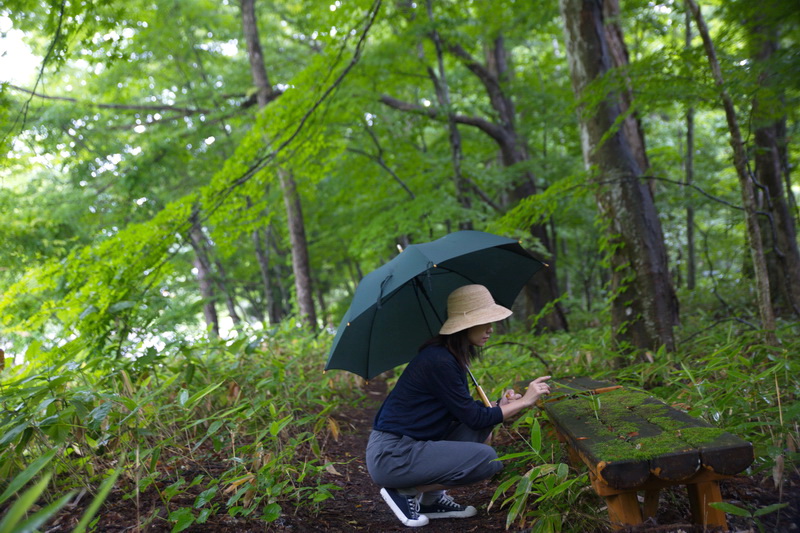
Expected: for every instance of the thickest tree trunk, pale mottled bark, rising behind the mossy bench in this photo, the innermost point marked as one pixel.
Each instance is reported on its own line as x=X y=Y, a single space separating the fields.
x=644 y=306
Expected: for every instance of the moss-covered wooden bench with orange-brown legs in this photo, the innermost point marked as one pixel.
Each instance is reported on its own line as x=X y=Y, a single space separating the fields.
x=633 y=442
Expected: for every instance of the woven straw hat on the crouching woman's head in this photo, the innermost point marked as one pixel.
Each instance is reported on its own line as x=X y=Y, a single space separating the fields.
x=471 y=305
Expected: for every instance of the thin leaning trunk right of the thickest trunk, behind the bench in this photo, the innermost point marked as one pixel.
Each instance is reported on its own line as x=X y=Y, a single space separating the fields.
x=745 y=182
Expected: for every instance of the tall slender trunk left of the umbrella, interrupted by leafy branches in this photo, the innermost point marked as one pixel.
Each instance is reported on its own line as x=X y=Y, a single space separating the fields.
x=294 y=214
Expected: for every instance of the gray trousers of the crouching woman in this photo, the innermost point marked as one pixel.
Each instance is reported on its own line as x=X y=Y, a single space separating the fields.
x=401 y=462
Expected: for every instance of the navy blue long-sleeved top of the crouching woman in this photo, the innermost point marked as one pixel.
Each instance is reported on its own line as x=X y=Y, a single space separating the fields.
x=431 y=393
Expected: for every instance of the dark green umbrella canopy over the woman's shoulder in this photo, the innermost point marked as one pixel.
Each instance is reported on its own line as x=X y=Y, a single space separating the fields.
x=400 y=305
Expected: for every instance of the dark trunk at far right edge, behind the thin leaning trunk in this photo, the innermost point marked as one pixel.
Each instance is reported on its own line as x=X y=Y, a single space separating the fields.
x=780 y=238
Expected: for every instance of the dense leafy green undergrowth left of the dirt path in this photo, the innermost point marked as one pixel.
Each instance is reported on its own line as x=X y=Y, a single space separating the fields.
x=236 y=427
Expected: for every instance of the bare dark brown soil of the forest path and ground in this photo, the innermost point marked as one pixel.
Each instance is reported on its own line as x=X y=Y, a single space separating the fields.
x=358 y=507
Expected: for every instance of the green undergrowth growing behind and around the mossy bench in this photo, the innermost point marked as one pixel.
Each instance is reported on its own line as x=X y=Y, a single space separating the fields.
x=724 y=375
